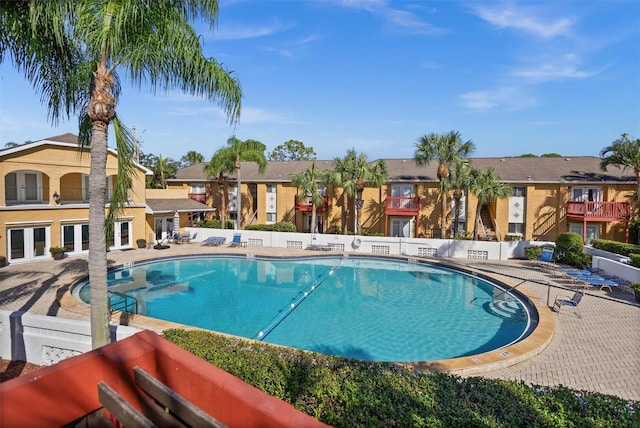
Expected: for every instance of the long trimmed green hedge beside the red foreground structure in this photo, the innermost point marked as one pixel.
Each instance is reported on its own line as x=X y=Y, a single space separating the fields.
x=353 y=393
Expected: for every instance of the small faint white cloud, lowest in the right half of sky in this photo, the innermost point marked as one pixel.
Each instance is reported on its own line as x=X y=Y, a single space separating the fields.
x=504 y=98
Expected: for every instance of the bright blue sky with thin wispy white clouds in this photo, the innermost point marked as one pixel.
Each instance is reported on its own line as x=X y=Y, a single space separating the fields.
x=514 y=77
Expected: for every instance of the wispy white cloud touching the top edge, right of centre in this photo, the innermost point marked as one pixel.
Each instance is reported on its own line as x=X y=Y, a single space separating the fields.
x=527 y=19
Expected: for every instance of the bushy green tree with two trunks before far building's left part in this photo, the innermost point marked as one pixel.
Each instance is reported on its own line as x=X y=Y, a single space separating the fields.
x=228 y=160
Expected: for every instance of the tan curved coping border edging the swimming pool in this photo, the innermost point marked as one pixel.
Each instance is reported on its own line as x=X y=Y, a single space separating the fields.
x=530 y=346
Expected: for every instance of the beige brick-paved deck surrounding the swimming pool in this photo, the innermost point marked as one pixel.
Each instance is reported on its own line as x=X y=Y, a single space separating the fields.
x=599 y=352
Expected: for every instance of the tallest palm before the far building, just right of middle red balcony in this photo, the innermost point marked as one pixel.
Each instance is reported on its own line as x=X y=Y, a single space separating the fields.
x=447 y=149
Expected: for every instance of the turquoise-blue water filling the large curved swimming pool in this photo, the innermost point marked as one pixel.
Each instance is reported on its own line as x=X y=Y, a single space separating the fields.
x=367 y=308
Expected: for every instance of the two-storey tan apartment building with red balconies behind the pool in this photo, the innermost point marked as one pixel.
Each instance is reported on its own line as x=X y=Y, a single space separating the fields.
x=550 y=196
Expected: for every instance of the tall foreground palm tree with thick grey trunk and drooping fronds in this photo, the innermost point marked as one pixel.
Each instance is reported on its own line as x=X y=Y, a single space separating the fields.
x=73 y=52
